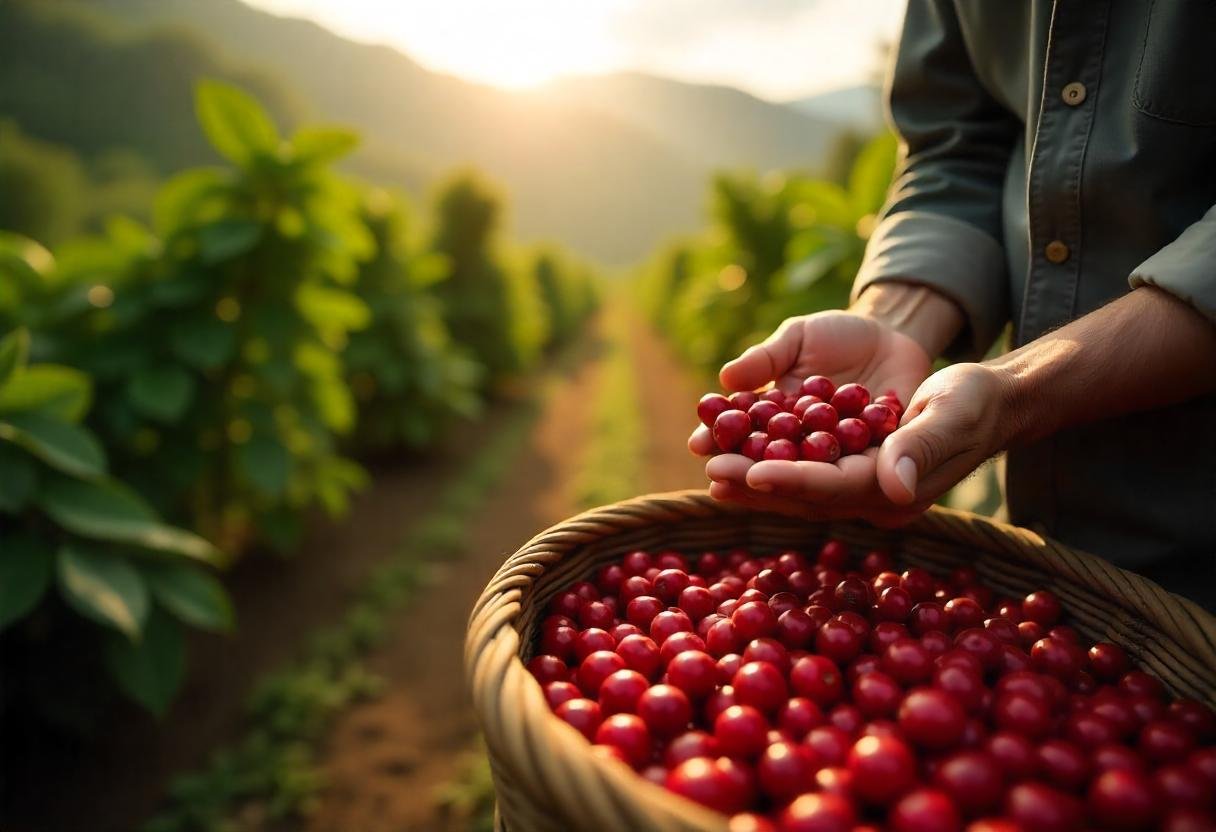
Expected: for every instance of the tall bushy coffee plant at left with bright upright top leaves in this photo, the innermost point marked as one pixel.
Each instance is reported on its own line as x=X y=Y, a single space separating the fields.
x=216 y=338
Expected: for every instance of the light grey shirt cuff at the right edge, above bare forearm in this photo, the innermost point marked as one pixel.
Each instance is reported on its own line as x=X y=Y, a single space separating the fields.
x=1186 y=268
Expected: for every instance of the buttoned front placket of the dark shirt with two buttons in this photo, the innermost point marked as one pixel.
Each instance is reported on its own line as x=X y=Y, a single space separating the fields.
x=1071 y=91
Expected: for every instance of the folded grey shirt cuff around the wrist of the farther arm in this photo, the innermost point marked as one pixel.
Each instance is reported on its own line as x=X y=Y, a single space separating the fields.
x=950 y=256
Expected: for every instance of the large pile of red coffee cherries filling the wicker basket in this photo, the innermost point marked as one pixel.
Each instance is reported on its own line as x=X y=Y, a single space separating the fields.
x=818 y=694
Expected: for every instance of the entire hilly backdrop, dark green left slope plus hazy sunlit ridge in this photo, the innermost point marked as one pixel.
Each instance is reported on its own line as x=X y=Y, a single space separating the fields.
x=572 y=158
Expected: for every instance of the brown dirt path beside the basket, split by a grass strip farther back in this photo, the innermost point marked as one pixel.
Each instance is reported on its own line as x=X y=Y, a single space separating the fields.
x=386 y=760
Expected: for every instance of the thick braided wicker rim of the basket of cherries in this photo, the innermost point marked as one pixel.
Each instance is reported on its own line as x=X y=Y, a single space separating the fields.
x=494 y=644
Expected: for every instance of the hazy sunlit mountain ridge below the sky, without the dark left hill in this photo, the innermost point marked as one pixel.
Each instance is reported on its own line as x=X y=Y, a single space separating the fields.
x=610 y=166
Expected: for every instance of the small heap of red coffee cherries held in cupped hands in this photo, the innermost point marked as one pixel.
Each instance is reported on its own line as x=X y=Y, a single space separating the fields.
x=821 y=424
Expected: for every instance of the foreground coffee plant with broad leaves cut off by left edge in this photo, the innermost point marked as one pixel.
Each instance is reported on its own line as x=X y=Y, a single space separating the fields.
x=70 y=530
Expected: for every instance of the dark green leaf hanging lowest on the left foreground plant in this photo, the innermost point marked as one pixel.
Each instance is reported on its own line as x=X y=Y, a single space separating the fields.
x=150 y=671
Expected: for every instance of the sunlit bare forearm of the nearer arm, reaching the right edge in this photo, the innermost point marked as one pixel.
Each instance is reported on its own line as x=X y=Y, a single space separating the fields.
x=1142 y=352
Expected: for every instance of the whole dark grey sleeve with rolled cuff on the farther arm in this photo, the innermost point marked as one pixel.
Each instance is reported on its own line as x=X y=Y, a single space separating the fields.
x=942 y=223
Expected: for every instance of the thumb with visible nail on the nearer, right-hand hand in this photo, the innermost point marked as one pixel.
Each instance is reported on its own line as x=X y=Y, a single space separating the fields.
x=917 y=451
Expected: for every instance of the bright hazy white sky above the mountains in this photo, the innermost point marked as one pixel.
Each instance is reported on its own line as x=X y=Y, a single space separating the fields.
x=778 y=49
